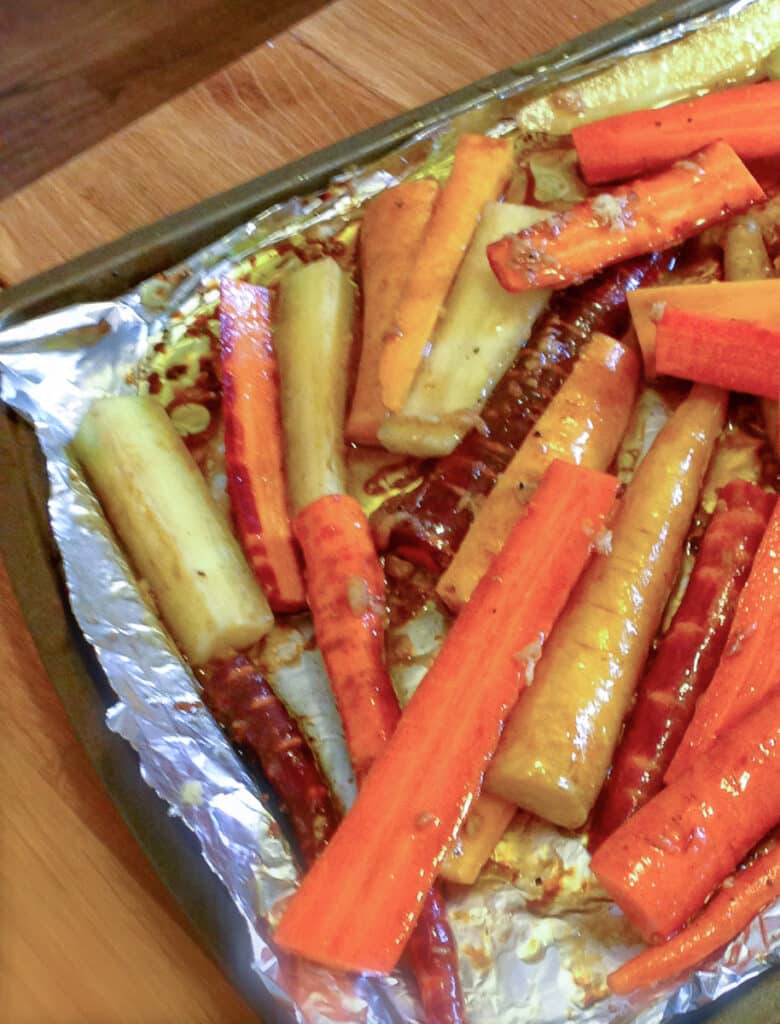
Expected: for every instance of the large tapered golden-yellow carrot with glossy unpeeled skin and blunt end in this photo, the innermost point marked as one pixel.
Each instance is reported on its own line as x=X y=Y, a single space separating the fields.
x=559 y=742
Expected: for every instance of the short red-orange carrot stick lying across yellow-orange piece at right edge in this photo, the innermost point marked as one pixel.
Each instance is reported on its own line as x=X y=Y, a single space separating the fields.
x=730 y=354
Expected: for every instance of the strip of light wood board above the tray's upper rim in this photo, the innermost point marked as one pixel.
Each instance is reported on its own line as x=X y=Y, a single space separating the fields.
x=354 y=64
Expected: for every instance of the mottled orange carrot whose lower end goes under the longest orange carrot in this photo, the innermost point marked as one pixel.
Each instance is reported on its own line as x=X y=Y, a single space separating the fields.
x=346 y=589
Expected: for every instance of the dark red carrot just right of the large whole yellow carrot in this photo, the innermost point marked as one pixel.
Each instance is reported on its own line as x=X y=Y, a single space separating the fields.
x=687 y=657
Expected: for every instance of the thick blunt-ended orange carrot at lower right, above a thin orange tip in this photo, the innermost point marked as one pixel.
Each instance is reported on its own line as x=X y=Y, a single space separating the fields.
x=665 y=862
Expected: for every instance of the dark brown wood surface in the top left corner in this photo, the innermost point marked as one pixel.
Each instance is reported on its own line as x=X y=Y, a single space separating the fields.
x=76 y=71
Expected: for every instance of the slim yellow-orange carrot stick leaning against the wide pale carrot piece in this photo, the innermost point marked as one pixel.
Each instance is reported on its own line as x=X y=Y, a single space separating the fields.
x=482 y=170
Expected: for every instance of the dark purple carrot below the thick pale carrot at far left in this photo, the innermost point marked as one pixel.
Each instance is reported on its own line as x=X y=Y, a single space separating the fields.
x=242 y=701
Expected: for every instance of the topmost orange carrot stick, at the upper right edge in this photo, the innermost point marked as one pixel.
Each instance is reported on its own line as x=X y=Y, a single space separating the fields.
x=748 y=118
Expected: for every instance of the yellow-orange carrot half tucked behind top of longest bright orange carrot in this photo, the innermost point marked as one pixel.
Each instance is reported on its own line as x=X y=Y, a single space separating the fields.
x=583 y=424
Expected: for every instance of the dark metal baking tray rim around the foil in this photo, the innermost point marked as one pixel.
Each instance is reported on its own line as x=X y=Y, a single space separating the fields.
x=31 y=557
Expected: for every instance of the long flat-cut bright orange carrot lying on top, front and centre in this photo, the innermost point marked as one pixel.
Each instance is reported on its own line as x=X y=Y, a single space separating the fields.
x=357 y=908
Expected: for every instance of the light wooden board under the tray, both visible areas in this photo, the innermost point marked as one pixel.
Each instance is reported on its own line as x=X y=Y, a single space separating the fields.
x=89 y=934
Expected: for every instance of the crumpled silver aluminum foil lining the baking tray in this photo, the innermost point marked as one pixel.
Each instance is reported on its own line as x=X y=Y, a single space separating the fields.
x=537 y=936
